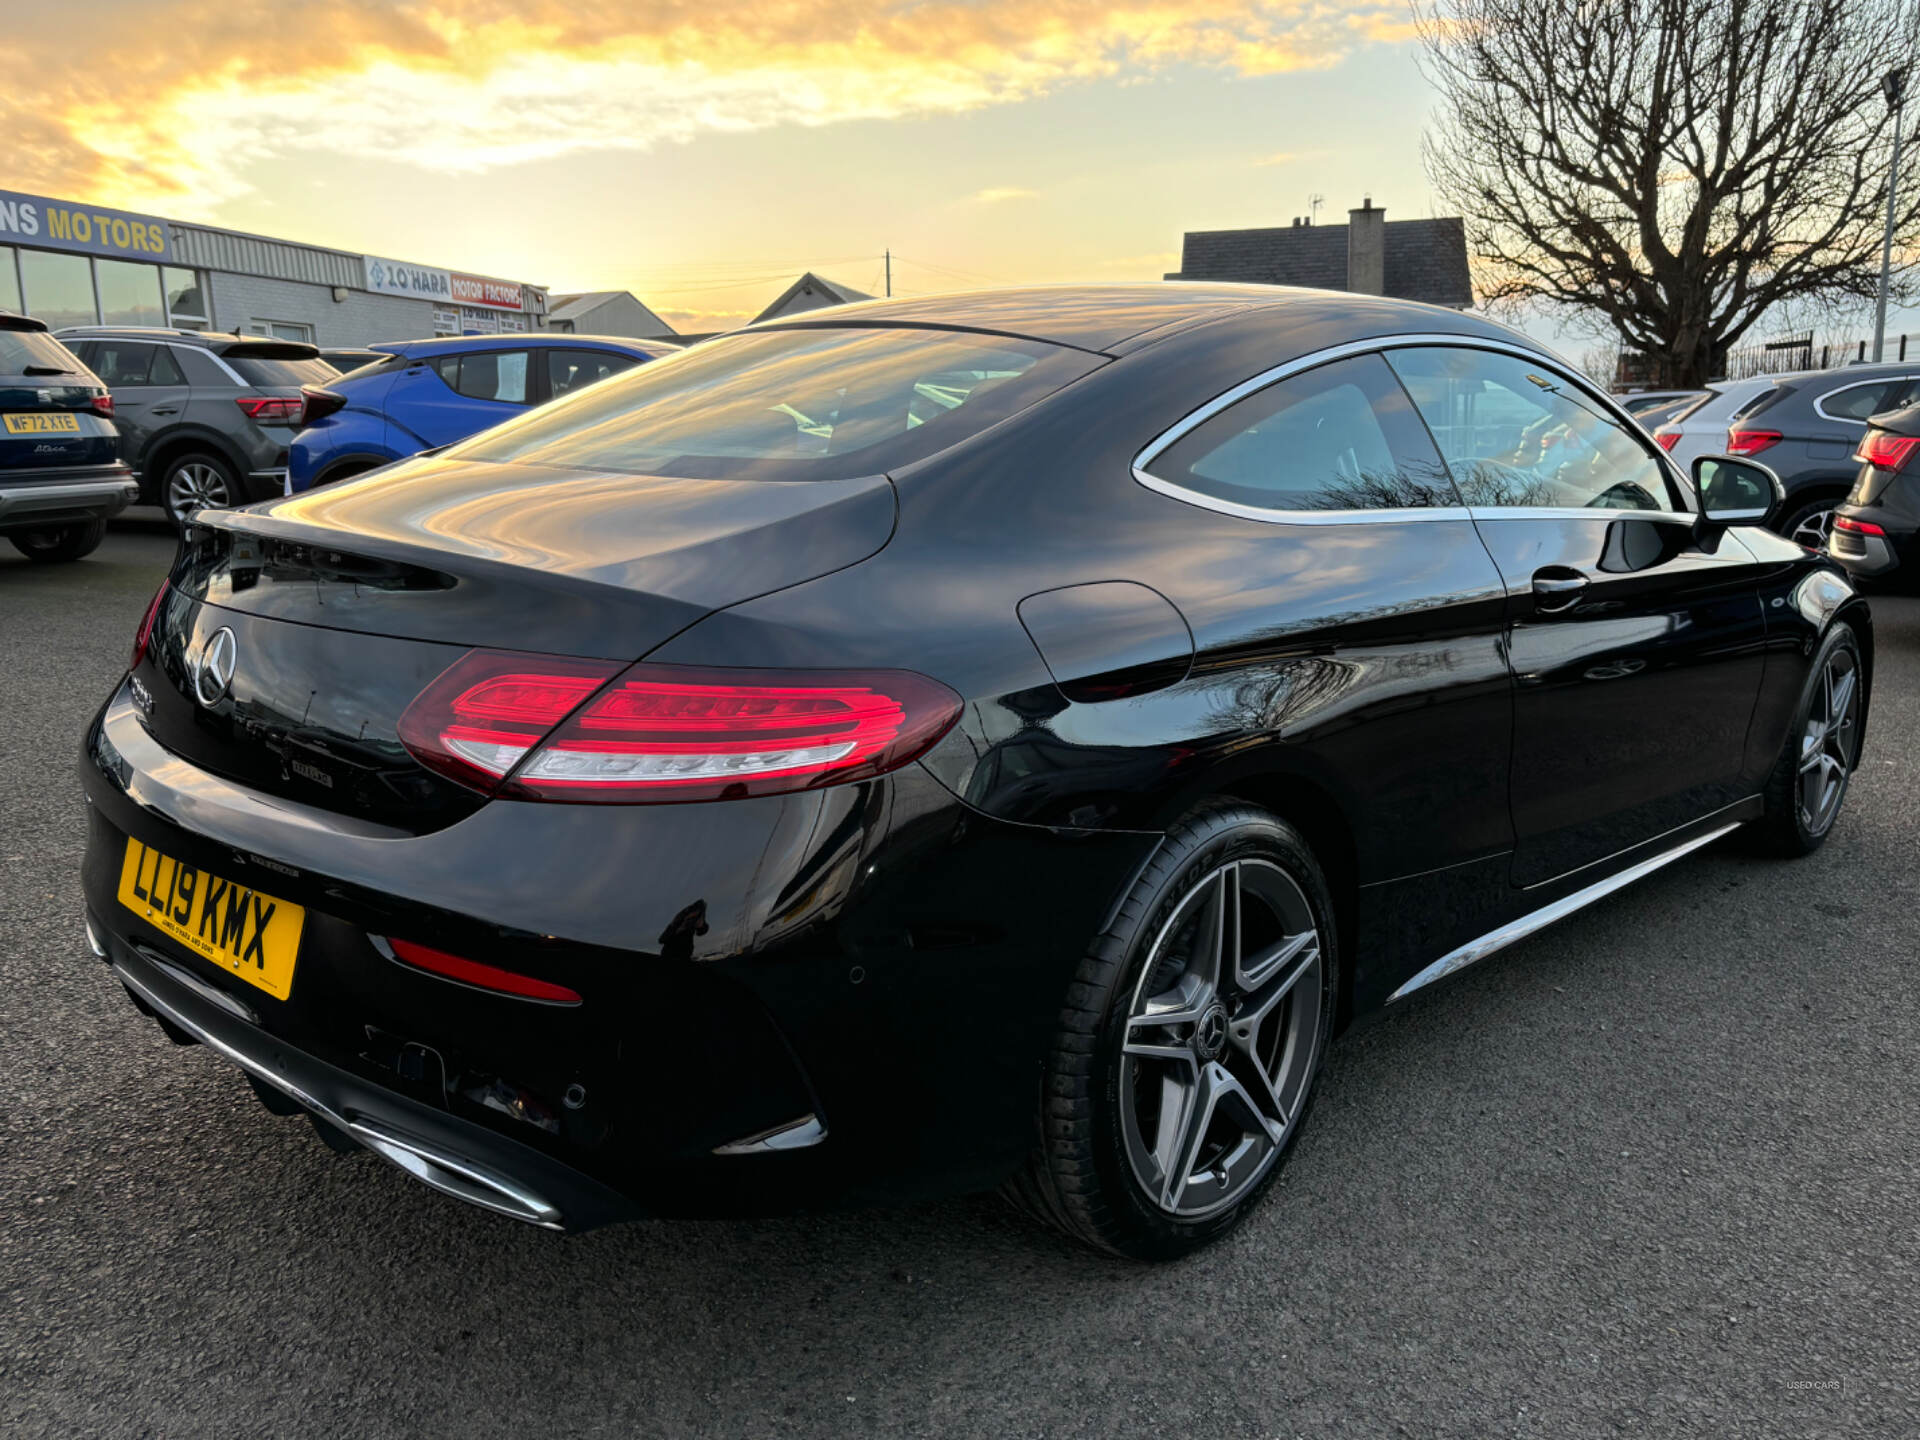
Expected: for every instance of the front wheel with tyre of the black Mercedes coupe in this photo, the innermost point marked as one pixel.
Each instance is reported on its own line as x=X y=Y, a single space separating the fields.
x=1810 y=782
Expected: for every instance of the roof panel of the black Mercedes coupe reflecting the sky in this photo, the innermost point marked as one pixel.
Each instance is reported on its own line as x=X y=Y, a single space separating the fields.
x=1103 y=318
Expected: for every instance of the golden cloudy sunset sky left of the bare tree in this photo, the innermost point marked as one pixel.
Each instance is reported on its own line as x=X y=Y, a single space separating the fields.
x=704 y=155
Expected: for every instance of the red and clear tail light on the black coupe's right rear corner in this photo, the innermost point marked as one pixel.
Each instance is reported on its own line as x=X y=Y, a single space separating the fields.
x=588 y=732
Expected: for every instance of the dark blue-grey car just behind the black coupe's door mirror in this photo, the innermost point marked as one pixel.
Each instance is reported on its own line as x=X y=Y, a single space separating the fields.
x=1806 y=431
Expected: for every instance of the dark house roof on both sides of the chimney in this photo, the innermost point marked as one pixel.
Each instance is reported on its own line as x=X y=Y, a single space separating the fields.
x=1426 y=260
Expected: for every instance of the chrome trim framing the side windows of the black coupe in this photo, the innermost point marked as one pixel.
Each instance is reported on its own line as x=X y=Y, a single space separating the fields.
x=1412 y=514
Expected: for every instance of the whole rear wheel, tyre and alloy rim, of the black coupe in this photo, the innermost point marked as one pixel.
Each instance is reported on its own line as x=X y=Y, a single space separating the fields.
x=1191 y=1042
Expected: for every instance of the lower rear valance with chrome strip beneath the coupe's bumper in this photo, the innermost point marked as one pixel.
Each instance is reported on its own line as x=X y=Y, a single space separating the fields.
x=429 y=1145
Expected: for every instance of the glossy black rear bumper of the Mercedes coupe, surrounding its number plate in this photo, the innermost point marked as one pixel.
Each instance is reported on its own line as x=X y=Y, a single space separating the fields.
x=790 y=1003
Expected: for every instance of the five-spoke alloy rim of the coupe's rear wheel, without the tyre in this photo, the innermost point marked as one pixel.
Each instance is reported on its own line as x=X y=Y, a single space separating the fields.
x=1222 y=1040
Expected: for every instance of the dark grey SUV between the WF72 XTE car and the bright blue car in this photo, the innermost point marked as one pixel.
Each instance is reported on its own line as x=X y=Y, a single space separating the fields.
x=204 y=418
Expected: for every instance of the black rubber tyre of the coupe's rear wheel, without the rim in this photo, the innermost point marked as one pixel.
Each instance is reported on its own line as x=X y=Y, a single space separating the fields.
x=1145 y=1230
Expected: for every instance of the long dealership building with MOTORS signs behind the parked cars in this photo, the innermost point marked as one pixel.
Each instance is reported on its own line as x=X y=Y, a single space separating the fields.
x=72 y=264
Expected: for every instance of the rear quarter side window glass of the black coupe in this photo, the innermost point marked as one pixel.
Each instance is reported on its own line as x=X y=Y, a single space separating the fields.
x=1335 y=439
